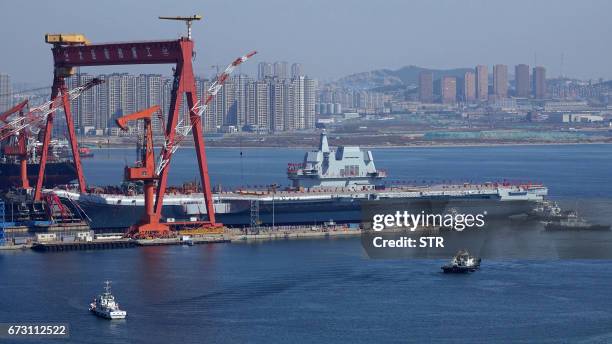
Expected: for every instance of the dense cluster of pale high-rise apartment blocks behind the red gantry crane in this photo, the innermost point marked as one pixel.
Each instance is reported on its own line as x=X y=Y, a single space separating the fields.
x=271 y=104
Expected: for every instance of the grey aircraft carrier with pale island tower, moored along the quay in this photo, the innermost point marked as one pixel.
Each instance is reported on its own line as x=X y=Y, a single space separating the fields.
x=328 y=184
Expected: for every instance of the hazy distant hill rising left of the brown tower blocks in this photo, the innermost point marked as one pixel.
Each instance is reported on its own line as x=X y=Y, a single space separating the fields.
x=403 y=77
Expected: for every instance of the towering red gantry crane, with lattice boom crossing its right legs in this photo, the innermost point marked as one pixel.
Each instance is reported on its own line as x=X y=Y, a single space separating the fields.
x=75 y=50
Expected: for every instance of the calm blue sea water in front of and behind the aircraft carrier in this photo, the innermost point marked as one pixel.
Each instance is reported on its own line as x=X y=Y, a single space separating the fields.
x=324 y=291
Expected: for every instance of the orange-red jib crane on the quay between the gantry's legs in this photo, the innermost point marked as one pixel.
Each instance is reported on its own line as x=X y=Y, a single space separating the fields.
x=144 y=171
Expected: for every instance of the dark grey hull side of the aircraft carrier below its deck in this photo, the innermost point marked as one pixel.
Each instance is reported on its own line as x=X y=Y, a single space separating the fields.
x=341 y=210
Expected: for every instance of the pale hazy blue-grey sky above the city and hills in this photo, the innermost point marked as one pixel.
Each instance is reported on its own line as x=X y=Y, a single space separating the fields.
x=331 y=38
